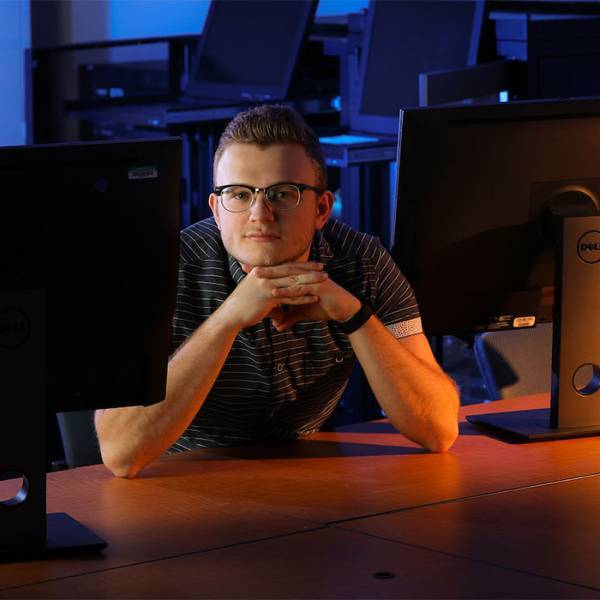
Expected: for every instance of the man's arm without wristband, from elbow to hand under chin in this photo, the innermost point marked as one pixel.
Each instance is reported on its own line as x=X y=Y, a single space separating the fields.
x=132 y=437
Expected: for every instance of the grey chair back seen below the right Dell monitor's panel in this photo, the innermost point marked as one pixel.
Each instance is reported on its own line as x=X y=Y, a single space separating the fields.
x=516 y=362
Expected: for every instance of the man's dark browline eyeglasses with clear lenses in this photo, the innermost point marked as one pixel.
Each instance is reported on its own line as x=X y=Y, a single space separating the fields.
x=281 y=196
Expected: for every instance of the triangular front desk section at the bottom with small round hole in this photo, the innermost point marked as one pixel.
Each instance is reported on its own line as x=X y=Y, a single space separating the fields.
x=328 y=563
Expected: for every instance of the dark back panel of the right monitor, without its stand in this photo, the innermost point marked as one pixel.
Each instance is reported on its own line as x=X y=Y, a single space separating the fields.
x=474 y=189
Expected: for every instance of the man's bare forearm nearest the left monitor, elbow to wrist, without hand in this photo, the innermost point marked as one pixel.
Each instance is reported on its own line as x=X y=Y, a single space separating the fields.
x=132 y=437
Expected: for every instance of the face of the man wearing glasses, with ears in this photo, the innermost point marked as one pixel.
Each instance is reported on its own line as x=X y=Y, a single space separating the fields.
x=262 y=236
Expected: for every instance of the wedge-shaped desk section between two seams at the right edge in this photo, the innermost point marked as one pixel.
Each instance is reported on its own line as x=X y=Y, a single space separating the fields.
x=552 y=530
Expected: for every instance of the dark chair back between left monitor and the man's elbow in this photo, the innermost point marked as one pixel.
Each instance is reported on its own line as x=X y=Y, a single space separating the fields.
x=79 y=439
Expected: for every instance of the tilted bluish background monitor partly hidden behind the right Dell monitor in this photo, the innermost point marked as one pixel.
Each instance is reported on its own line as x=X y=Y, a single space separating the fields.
x=402 y=39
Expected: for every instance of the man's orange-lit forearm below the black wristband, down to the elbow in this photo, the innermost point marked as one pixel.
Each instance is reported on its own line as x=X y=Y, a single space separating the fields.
x=420 y=400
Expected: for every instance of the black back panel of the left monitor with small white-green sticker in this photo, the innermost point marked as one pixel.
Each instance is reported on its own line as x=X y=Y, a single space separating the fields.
x=95 y=227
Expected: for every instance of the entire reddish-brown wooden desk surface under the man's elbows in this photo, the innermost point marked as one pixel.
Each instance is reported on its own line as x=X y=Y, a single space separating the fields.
x=201 y=518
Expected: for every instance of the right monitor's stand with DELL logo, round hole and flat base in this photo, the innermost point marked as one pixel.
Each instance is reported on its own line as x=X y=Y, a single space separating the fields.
x=575 y=399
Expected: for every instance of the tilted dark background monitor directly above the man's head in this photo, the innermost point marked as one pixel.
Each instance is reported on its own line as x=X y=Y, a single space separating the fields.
x=248 y=50
